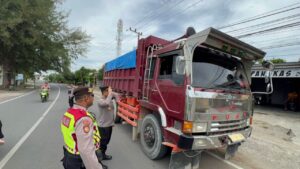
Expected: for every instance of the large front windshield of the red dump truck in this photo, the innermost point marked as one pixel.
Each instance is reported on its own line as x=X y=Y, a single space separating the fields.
x=213 y=70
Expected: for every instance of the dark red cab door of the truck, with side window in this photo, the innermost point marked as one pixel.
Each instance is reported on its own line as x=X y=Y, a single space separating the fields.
x=168 y=89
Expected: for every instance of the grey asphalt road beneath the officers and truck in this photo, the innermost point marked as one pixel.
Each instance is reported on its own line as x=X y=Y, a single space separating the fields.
x=34 y=141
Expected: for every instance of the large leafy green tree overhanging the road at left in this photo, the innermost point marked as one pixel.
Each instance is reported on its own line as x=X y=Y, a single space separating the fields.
x=34 y=37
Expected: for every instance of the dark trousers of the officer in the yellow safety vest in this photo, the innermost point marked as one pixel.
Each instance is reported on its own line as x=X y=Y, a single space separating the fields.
x=71 y=161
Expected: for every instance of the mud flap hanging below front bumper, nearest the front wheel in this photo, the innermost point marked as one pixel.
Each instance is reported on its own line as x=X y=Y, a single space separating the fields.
x=185 y=160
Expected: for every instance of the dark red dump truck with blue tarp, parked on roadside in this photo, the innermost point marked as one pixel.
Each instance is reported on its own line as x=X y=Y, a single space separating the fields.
x=188 y=95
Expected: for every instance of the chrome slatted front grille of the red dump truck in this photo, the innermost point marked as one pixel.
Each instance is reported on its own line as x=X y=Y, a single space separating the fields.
x=227 y=126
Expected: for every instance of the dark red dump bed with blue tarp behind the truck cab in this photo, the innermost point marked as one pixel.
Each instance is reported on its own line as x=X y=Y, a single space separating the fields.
x=125 y=73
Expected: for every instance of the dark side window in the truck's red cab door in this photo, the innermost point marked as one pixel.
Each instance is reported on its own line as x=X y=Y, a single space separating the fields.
x=168 y=70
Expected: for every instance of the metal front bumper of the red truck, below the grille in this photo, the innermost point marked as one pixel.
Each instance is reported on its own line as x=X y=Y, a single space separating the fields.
x=201 y=142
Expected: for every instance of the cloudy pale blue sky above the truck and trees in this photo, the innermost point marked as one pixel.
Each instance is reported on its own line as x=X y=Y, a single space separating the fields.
x=169 y=19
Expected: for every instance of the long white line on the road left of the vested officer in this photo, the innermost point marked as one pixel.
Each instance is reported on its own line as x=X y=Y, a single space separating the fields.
x=10 y=154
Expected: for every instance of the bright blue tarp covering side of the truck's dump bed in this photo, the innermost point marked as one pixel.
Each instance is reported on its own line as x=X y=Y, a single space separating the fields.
x=125 y=61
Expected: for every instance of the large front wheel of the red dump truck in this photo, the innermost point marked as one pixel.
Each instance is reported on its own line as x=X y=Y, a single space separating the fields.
x=151 y=138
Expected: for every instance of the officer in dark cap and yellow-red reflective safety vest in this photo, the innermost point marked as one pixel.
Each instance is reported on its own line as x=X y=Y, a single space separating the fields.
x=80 y=133
